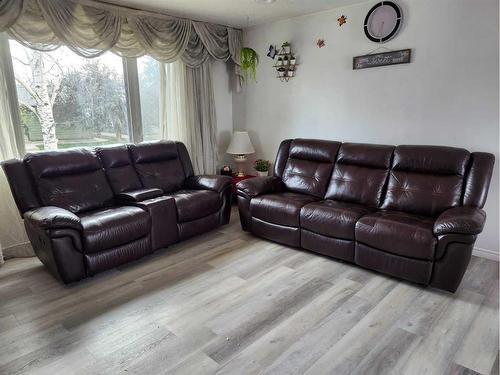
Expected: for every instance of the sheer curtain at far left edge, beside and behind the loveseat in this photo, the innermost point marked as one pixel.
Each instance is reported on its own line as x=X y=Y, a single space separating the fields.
x=13 y=239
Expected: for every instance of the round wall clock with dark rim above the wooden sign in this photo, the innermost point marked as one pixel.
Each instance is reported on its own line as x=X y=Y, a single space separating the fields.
x=383 y=21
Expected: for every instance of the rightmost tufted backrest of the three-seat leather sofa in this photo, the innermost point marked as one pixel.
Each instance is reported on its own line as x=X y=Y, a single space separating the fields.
x=426 y=180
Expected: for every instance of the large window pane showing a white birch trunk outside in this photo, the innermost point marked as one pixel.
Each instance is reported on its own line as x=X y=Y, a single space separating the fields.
x=67 y=101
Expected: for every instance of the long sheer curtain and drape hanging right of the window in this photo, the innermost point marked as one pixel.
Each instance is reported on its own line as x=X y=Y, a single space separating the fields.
x=187 y=112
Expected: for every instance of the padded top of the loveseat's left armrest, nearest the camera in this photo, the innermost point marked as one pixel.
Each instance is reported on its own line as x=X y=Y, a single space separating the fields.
x=50 y=217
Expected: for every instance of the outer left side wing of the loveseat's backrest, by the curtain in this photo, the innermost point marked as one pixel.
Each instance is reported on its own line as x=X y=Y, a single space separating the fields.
x=21 y=185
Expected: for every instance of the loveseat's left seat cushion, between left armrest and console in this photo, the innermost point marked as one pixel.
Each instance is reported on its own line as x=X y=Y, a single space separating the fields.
x=112 y=227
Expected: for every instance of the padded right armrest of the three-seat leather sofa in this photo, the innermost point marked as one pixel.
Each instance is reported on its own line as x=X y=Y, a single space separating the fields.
x=462 y=220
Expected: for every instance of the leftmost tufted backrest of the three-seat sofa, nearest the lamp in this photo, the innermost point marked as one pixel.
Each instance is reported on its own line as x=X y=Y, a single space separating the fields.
x=308 y=165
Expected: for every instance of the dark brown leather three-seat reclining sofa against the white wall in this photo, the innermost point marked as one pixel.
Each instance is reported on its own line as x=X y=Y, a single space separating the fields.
x=412 y=212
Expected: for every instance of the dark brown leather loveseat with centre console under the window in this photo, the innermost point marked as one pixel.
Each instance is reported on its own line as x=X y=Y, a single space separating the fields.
x=86 y=211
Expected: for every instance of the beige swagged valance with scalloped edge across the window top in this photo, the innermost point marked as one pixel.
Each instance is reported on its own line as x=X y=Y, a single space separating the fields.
x=90 y=28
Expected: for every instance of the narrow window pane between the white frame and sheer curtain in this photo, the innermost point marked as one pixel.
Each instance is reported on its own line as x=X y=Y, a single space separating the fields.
x=149 y=86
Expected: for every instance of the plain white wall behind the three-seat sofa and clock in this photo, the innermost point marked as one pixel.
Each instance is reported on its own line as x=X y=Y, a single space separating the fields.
x=448 y=95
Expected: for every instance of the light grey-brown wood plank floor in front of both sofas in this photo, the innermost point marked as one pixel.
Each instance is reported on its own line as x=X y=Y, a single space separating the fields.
x=229 y=303
